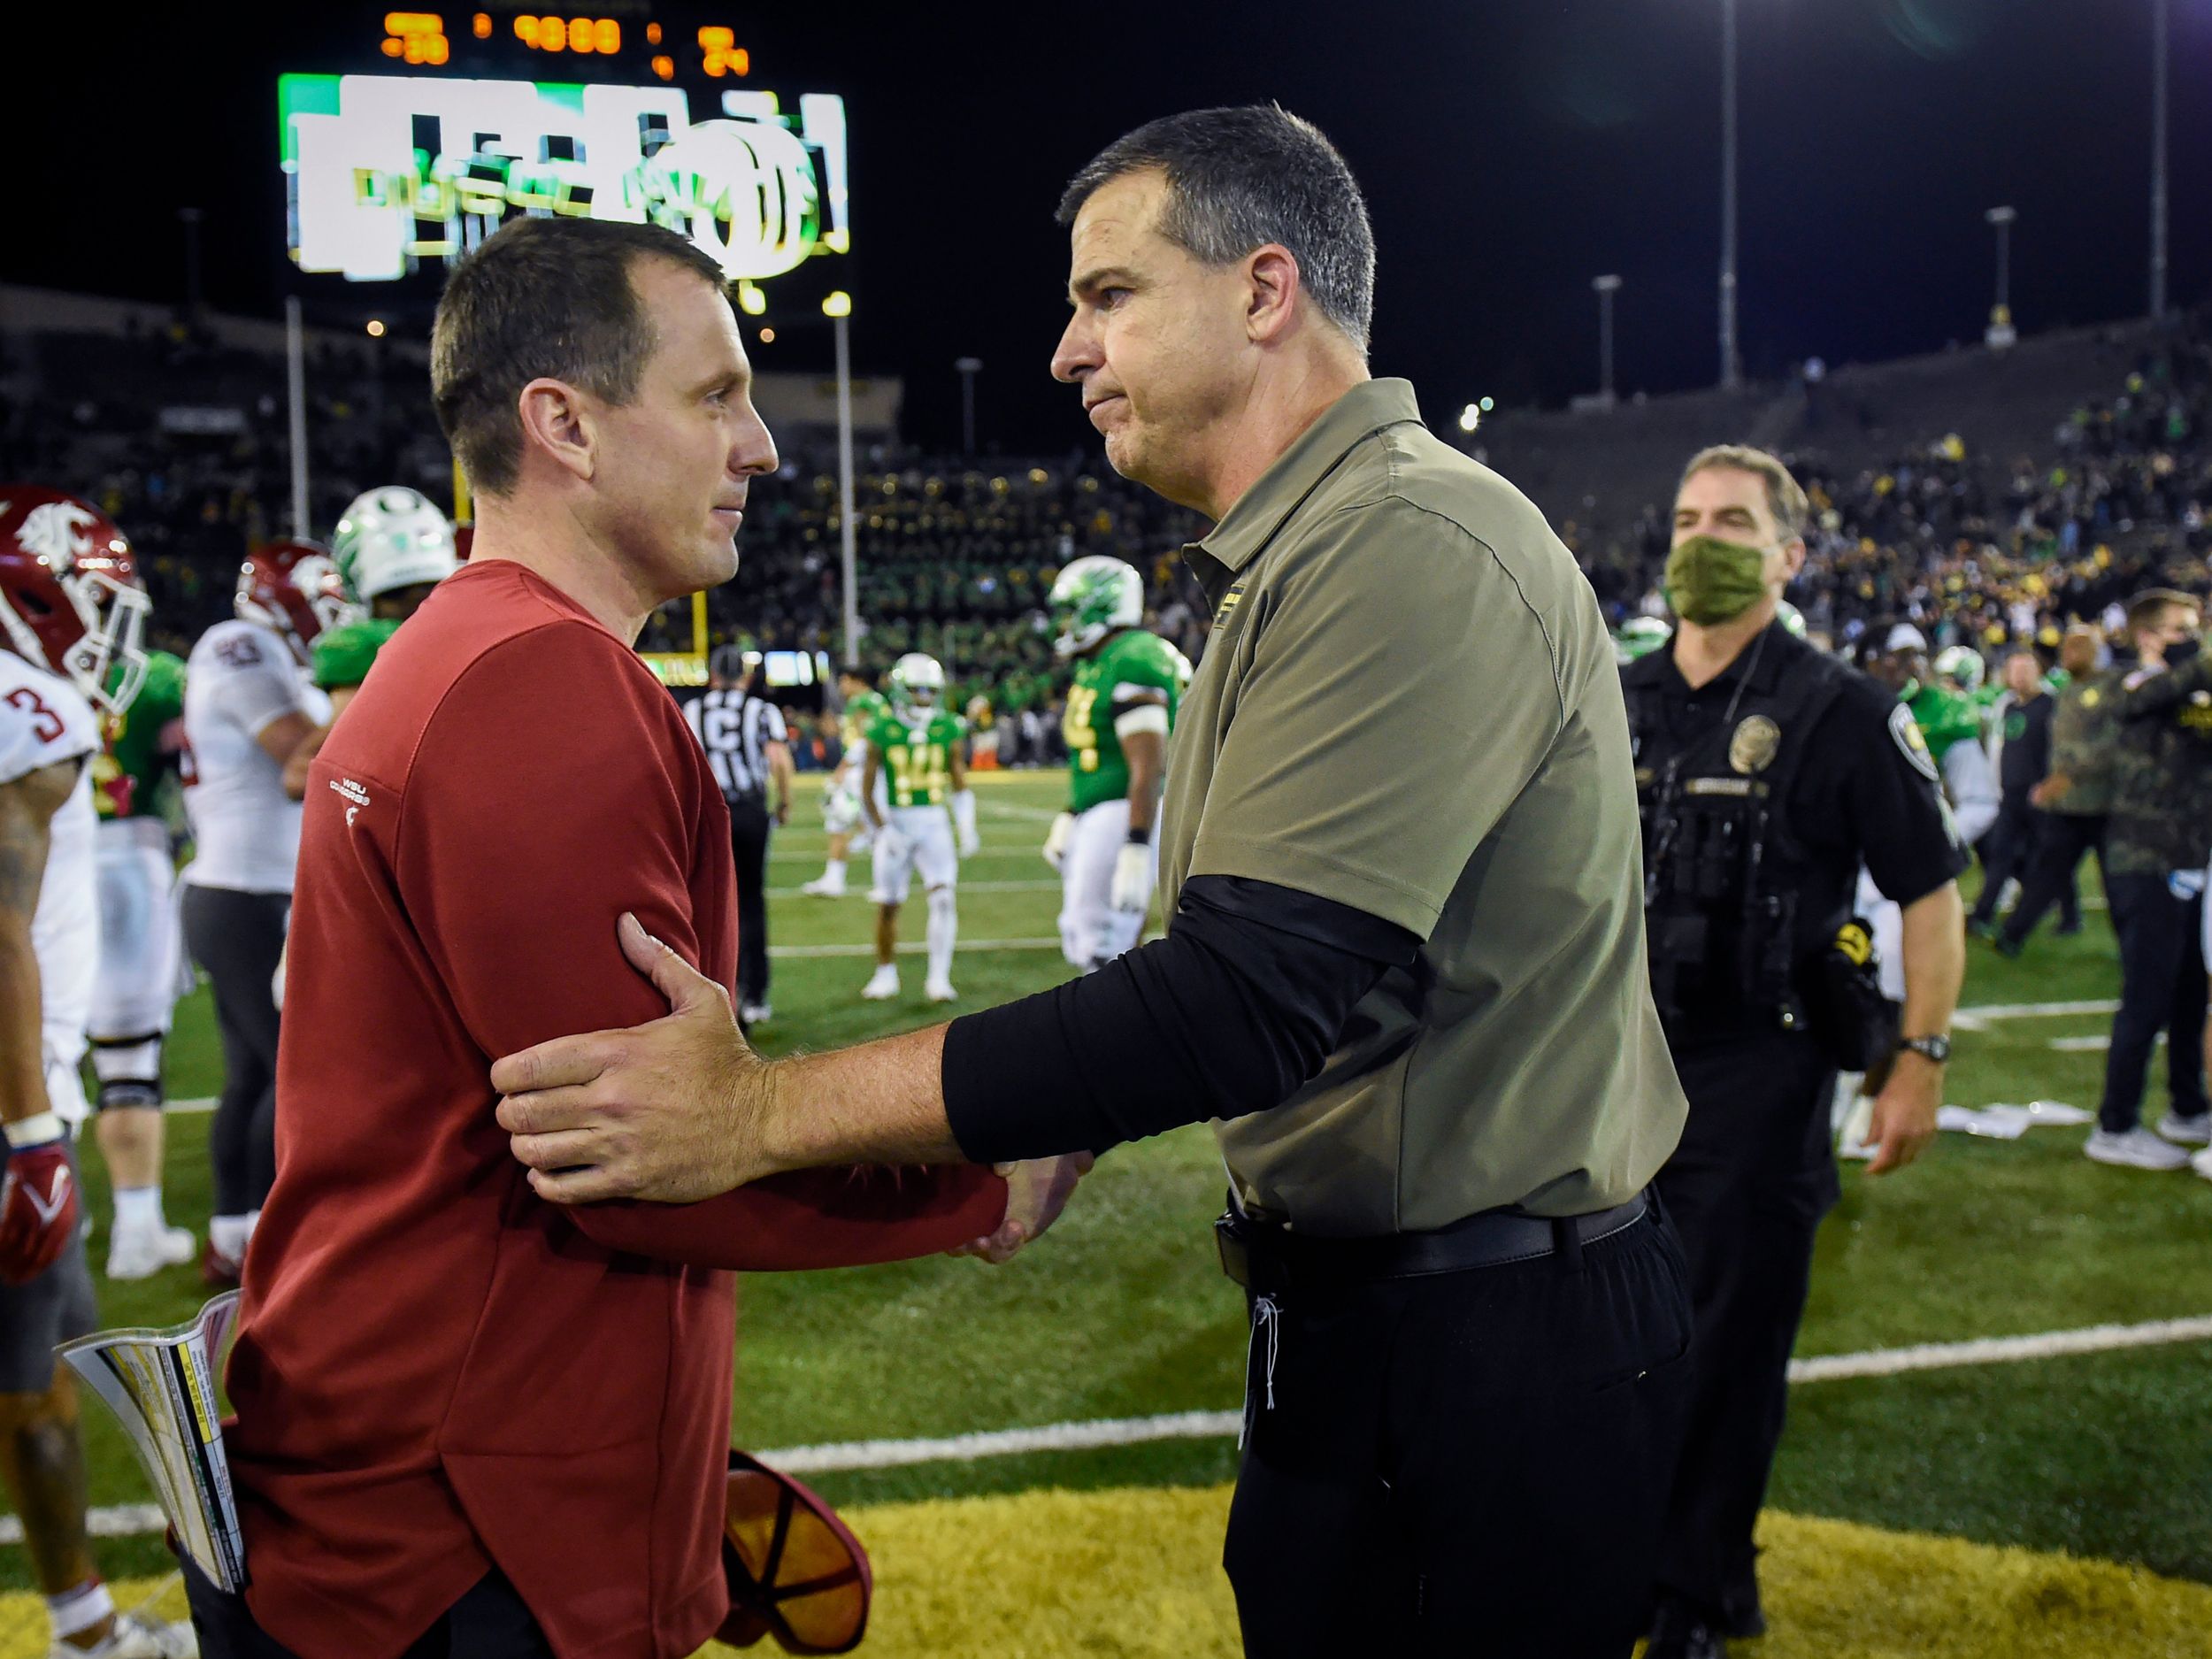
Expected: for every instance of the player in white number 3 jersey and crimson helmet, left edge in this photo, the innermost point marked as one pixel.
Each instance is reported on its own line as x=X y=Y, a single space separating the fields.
x=70 y=612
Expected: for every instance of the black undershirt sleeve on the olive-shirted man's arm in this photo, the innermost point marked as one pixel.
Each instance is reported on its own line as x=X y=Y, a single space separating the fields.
x=1231 y=1014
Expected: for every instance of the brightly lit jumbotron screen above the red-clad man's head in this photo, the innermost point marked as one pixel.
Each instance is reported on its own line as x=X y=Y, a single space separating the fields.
x=393 y=171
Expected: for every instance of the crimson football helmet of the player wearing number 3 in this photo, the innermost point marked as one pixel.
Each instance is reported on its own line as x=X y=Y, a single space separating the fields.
x=72 y=601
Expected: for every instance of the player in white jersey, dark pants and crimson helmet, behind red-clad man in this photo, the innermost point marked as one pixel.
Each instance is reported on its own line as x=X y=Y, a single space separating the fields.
x=247 y=709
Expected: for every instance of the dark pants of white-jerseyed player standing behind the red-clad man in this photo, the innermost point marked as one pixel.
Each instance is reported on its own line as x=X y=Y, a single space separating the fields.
x=238 y=939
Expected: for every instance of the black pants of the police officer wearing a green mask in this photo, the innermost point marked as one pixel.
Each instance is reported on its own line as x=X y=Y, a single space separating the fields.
x=1746 y=1189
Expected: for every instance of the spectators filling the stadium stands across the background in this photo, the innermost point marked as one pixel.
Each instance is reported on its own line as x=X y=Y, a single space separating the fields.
x=954 y=556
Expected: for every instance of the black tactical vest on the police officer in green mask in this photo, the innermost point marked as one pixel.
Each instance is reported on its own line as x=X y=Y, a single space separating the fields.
x=1722 y=870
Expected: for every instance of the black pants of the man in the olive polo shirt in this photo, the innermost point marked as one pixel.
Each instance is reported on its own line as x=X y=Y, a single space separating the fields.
x=1465 y=1465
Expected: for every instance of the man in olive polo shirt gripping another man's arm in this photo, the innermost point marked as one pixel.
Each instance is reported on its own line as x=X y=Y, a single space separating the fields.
x=1406 y=977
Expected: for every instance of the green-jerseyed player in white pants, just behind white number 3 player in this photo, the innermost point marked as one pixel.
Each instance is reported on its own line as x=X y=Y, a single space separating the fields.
x=140 y=963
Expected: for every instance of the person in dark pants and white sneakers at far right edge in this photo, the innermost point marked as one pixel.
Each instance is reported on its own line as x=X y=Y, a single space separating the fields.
x=2156 y=859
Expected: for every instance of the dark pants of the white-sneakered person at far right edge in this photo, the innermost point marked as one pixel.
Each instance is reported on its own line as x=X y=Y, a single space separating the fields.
x=2162 y=988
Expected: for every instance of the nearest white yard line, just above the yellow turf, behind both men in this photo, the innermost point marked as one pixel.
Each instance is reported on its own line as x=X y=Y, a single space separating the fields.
x=1218 y=1426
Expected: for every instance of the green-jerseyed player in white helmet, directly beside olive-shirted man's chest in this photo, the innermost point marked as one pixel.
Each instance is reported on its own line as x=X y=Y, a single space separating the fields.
x=1118 y=720
